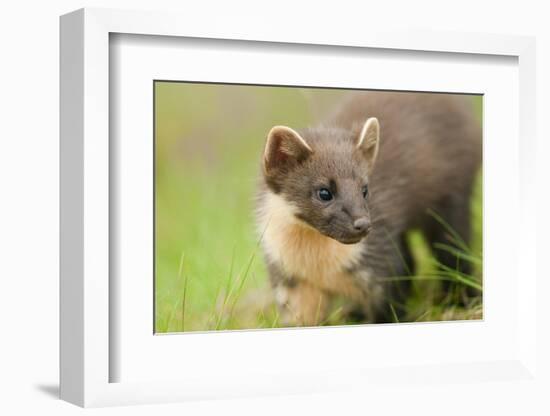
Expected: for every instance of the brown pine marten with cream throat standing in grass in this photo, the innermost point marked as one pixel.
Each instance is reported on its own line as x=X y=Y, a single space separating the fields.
x=428 y=154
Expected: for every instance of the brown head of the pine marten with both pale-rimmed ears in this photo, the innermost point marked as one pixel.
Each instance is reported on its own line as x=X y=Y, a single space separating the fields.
x=324 y=175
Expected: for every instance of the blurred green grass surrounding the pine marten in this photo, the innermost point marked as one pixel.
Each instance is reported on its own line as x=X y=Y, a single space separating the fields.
x=209 y=269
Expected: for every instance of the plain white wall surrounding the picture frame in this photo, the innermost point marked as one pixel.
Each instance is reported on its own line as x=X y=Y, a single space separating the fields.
x=29 y=185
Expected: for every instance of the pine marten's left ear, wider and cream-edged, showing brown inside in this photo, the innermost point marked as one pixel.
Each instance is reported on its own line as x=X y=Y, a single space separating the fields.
x=284 y=148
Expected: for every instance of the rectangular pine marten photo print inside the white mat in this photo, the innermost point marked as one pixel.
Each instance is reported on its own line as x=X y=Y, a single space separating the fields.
x=297 y=207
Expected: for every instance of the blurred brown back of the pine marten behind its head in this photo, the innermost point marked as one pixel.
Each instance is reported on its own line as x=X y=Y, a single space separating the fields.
x=430 y=149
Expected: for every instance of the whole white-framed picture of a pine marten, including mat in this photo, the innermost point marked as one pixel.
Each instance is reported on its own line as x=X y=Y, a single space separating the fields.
x=266 y=212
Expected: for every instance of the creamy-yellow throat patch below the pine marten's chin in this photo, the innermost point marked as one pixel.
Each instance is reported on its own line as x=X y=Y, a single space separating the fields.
x=304 y=253
